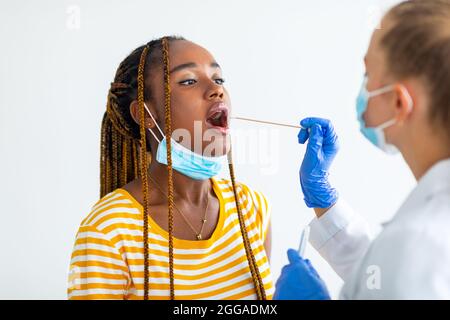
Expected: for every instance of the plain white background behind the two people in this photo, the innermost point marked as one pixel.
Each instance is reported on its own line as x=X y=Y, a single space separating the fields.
x=283 y=60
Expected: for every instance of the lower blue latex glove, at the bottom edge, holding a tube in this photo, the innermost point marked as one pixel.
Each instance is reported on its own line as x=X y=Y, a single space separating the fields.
x=300 y=281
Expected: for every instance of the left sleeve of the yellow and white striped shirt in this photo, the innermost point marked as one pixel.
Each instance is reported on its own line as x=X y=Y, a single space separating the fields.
x=97 y=269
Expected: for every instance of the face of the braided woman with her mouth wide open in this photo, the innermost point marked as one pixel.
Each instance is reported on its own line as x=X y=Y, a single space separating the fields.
x=200 y=103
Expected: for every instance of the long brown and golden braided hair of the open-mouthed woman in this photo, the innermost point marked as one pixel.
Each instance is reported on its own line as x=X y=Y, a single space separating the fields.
x=125 y=153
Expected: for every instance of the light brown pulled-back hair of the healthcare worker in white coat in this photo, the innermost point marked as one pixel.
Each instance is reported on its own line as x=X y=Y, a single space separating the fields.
x=417 y=44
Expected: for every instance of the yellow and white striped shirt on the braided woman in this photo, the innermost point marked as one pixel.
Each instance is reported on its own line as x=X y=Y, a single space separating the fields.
x=108 y=255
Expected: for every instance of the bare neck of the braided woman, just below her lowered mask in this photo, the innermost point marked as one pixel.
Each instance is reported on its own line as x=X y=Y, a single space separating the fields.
x=185 y=188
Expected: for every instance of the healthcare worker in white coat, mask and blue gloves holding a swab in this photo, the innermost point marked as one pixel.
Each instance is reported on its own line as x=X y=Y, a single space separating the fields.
x=404 y=105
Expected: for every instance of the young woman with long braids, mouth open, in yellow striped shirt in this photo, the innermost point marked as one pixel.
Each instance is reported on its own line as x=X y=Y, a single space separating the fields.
x=164 y=227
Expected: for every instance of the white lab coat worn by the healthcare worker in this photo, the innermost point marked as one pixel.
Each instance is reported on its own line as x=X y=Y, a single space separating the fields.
x=409 y=259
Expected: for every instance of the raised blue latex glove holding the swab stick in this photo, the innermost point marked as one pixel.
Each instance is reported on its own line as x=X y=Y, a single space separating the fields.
x=322 y=147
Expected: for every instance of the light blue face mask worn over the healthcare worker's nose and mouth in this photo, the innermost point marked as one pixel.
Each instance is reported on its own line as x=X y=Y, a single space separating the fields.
x=376 y=134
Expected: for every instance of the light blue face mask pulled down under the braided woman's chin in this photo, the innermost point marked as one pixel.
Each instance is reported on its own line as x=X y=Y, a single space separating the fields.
x=185 y=161
